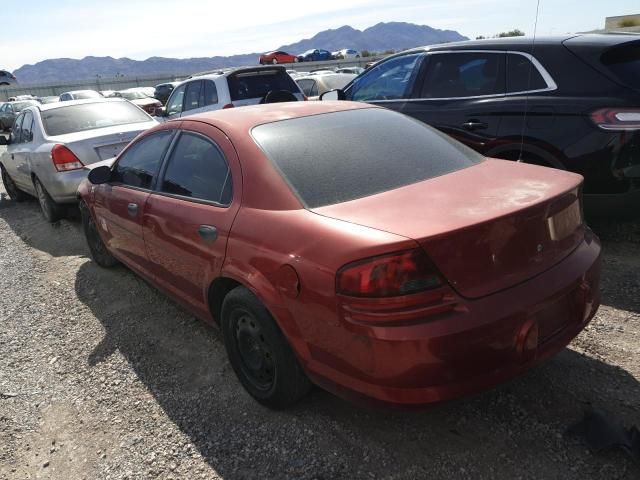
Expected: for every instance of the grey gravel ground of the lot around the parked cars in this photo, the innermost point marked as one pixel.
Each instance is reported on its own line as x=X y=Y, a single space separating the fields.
x=103 y=377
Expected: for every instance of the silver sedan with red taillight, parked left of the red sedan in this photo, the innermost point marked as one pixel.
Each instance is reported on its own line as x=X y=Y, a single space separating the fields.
x=50 y=145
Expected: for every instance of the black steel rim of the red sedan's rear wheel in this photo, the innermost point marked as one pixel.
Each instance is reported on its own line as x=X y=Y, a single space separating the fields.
x=256 y=357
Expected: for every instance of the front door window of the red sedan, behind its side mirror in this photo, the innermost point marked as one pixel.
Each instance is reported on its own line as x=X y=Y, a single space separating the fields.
x=139 y=165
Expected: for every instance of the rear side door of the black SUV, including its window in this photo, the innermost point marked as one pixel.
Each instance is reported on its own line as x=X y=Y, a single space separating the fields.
x=461 y=93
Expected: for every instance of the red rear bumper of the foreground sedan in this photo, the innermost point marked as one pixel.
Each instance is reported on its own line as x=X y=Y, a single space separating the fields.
x=480 y=344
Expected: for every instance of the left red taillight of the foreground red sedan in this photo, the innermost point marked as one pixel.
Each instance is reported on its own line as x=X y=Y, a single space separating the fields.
x=388 y=275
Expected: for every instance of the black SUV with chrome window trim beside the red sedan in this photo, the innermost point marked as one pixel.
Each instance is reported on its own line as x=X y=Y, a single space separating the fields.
x=569 y=102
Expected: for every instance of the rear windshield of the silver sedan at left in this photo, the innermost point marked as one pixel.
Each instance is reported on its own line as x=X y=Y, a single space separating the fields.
x=78 y=118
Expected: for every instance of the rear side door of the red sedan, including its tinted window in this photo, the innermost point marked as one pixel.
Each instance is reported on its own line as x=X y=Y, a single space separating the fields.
x=188 y=218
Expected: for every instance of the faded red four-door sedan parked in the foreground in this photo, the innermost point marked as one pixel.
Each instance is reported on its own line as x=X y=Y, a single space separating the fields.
x=390 y=263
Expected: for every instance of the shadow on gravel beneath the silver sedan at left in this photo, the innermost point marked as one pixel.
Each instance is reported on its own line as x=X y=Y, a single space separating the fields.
x=60 y=239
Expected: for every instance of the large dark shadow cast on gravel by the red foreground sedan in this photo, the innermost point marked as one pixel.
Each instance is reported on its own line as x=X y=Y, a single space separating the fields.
x=502 y=433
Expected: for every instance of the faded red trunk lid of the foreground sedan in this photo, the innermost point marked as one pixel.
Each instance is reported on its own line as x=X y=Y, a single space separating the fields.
x=486 y=227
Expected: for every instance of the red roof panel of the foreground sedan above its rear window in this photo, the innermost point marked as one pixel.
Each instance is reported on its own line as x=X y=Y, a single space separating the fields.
x=241 y=120
